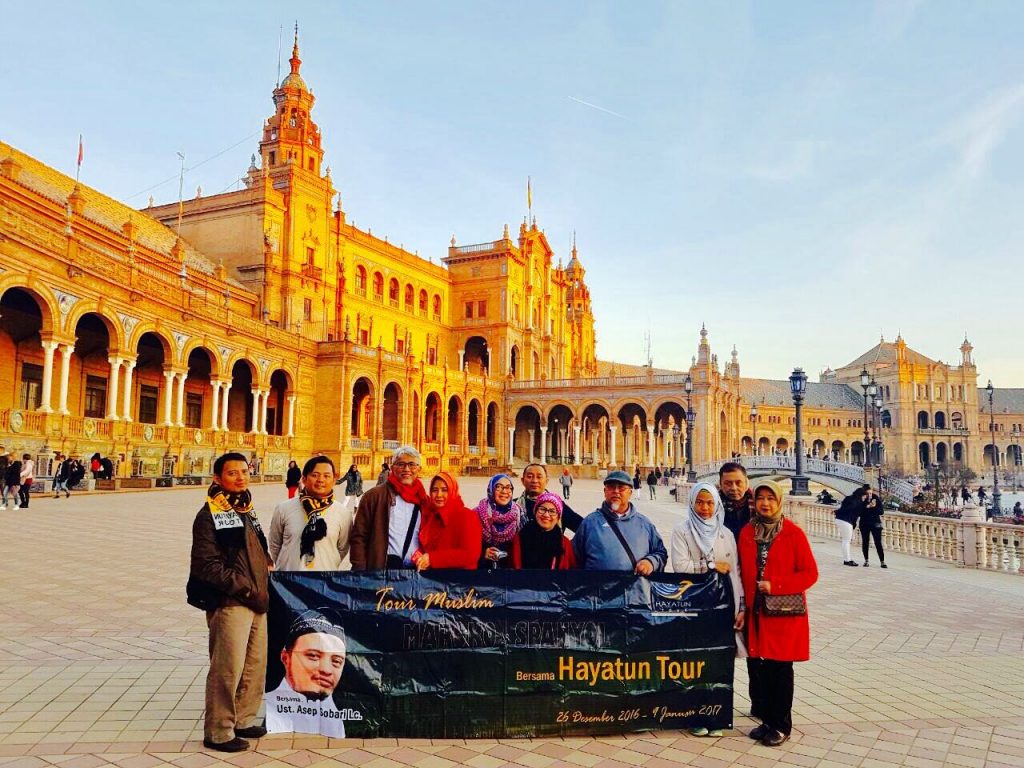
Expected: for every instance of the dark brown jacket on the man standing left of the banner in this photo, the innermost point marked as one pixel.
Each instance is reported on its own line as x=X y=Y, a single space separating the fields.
x=222 y=574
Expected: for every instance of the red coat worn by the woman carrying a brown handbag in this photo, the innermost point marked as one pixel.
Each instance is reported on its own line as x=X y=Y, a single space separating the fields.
x=791 y=570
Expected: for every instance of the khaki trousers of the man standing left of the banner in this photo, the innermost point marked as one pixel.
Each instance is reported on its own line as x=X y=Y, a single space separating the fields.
x=238 y=671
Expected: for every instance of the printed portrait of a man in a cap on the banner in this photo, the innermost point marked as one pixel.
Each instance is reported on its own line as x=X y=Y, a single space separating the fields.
x=314 y=658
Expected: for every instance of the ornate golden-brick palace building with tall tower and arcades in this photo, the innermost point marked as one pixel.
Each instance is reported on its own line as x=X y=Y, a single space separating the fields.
x=262 y=320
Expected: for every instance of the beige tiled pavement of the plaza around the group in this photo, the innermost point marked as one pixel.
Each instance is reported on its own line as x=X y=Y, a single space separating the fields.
x=102 y=663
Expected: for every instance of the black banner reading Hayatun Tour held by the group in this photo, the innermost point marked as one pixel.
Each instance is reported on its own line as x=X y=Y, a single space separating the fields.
x=506 y=654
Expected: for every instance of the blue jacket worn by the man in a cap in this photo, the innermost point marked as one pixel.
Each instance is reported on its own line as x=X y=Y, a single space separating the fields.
x=598 y=547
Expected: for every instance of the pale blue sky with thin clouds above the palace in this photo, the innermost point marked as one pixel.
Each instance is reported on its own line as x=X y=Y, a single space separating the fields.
x=804 y=179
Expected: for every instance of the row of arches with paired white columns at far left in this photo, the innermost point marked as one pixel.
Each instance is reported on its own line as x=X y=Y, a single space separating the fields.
x=104 y=372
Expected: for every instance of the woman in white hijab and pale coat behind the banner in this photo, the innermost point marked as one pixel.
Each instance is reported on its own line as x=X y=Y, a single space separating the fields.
x=701 y=543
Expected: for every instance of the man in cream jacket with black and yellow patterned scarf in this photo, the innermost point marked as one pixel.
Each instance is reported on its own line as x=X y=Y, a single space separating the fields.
x=311 y=532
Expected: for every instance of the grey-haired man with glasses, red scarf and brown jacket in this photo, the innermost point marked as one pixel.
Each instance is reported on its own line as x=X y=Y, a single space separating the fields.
x=387 y=532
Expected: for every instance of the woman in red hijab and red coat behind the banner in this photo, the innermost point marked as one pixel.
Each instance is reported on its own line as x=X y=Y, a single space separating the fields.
x=450 y=535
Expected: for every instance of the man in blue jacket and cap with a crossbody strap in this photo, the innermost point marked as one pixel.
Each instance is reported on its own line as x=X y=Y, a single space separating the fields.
x=617 y=537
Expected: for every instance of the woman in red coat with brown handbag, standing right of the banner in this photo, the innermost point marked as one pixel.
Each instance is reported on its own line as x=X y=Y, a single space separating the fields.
x=775 y=560
